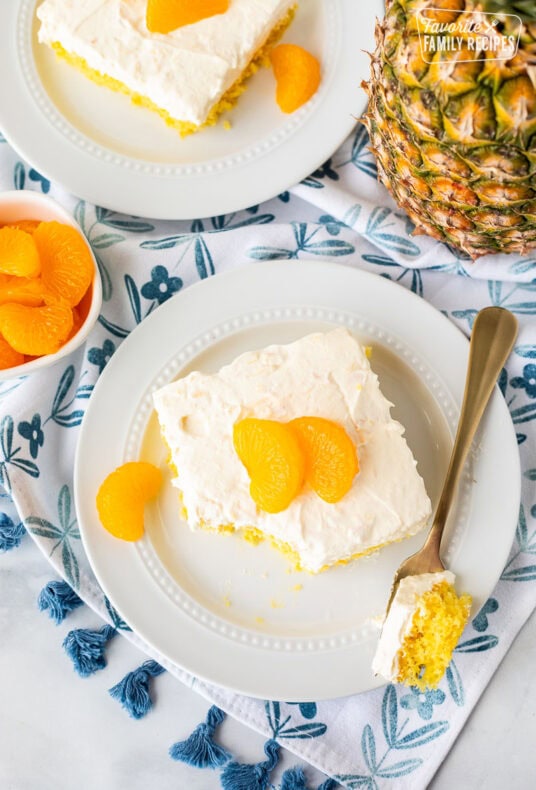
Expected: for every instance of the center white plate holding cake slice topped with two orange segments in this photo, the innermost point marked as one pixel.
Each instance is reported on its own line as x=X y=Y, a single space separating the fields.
x=302 y=428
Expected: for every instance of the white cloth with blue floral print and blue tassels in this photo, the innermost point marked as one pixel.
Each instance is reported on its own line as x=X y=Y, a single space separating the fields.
x=391 y=737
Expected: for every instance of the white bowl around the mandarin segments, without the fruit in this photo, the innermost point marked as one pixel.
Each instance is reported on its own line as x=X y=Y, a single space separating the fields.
x=23 y=204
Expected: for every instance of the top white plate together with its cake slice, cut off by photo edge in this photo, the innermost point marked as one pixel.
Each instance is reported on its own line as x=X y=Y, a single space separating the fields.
x=183 y=123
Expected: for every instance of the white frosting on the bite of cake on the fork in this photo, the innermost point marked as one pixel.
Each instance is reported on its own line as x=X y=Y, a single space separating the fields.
x=398 y=621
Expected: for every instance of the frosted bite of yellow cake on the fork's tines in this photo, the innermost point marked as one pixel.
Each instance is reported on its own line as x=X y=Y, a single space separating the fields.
x=425 y=621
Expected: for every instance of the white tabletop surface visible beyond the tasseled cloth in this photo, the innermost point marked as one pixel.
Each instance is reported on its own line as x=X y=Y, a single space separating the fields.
x=59 y=732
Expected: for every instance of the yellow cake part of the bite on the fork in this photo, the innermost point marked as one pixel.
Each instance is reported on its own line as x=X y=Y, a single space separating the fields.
x=435 y=630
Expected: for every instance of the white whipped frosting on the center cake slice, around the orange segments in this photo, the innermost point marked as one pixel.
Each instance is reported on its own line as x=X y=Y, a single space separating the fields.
x=325 y=375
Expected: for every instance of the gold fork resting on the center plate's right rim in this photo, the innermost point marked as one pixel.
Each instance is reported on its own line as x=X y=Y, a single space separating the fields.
x=492 y=339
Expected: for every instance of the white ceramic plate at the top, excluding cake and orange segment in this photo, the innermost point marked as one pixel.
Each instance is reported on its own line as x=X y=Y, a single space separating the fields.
x=102 y=148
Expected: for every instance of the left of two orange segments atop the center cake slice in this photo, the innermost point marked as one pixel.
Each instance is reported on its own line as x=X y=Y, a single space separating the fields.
x=273 y=459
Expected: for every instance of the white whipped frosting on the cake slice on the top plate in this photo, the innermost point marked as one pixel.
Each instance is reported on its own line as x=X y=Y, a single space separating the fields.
x=185 y=72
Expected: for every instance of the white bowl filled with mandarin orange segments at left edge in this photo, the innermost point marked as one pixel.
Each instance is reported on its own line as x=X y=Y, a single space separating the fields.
x=50 y=286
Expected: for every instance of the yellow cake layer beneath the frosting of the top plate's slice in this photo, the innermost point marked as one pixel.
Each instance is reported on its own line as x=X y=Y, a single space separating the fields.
x=227 y=102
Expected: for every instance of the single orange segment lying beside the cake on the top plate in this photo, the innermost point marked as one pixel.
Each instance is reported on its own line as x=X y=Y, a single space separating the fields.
x=297 y=74
